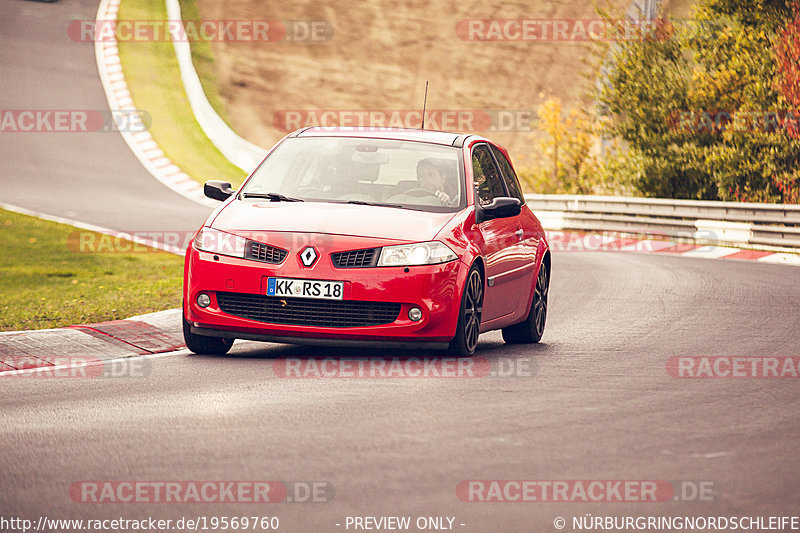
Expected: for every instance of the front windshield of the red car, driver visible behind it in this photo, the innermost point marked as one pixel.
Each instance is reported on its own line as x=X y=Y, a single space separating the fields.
x=407 y=174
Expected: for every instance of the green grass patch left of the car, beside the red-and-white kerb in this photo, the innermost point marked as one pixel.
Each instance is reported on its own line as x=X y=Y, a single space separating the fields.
x=46 y=283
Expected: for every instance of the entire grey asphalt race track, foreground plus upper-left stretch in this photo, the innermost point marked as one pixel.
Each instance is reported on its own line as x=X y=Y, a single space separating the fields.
x=598 y=405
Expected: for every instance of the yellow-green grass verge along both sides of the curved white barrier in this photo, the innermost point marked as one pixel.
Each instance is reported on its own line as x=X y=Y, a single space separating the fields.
x=153 y=78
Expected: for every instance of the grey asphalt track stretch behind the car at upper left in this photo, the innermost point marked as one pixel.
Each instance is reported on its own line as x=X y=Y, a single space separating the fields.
x=91 y=177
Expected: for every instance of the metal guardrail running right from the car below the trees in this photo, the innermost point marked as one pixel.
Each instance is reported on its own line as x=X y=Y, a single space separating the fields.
x=732 y=223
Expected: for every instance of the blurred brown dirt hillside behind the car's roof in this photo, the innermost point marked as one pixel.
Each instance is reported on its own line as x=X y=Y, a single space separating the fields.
x=375 y=55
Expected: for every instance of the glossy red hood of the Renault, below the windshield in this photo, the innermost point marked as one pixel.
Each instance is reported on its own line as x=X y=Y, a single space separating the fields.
x=335 y=219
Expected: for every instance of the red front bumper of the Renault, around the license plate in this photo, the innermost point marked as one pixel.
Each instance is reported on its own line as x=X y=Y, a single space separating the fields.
x=435 y=289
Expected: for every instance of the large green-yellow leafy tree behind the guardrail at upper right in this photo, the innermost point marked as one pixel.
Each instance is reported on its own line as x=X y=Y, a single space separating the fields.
x=678 y=104
